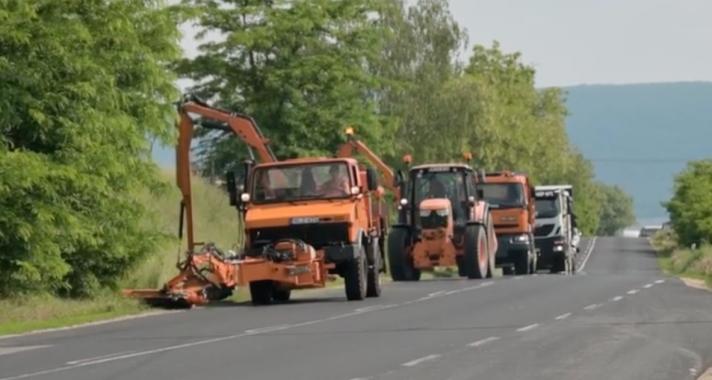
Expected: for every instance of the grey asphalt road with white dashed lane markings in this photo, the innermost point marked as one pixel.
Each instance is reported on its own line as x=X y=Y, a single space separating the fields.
x=619 y=318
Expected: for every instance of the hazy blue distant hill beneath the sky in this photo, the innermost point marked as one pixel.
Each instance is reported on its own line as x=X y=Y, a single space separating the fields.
x=638 y=136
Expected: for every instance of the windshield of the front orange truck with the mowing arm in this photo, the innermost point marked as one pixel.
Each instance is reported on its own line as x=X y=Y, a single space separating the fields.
x=301 y=182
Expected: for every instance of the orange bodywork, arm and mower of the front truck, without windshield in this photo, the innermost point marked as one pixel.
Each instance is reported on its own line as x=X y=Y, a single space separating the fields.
x=208 y=274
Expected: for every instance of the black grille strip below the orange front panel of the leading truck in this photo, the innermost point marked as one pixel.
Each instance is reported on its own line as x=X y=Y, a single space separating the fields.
x=317 y=235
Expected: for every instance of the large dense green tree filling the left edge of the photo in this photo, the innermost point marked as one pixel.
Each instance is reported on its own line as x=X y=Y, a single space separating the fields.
x=82 y=86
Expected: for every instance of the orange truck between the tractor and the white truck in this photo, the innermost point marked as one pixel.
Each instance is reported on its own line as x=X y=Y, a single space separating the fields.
x=511 y=199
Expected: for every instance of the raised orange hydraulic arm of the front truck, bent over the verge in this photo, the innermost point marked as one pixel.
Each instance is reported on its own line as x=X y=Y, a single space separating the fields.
x=242 y=126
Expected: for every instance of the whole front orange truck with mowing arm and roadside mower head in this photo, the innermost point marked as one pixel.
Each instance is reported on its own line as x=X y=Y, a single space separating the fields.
x=304 y=221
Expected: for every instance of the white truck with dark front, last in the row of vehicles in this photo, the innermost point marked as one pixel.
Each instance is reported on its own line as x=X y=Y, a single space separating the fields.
x=556 y=235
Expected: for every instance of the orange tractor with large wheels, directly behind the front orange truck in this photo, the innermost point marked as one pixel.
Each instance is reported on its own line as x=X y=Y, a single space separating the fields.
x=442 y=221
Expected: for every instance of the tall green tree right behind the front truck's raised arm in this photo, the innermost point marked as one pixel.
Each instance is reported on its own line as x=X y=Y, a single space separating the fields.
x=300 y=68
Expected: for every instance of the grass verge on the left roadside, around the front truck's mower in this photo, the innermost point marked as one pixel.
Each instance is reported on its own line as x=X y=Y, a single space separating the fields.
x=215 y=221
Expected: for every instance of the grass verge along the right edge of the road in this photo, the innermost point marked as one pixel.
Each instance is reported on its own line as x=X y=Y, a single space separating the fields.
x=685 y=262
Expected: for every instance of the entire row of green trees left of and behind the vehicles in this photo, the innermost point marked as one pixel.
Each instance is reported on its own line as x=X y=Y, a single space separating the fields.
x=85 y=86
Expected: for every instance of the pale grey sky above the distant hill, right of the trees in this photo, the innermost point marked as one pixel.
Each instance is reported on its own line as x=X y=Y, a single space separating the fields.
x=573 y=42
